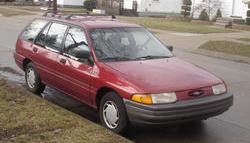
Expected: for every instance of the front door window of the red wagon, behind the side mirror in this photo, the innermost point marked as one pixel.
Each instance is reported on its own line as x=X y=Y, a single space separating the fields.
x=75 y=40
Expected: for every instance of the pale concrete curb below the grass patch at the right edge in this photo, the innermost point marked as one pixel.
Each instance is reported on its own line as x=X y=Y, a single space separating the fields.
x=221 y=55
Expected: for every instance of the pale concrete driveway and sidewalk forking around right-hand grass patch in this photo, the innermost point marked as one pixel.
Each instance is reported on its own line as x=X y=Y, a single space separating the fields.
x=190 y=42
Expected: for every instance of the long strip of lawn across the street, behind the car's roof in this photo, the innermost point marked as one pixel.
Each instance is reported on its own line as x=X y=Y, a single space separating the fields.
x=175 y=25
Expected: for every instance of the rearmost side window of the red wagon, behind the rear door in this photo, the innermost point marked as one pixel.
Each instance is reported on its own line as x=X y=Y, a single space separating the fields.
x=30 y=32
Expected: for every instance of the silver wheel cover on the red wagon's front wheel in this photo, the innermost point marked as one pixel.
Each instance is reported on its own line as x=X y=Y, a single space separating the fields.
x=110 y=114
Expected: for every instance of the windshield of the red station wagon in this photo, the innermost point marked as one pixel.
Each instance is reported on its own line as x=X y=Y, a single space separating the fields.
x=121 y=44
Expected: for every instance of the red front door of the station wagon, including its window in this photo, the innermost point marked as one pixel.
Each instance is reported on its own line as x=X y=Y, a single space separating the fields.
x=76 y=72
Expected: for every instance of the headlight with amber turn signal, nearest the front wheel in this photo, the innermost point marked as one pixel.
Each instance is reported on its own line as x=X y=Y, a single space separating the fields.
x=155 y=98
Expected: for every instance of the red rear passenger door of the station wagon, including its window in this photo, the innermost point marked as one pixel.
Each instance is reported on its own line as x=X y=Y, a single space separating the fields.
x=47 y=48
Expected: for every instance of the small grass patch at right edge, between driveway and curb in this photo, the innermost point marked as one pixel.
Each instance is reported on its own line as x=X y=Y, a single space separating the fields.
x=227 y=47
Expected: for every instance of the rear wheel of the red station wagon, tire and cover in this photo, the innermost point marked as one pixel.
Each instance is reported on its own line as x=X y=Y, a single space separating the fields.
x=32 y=80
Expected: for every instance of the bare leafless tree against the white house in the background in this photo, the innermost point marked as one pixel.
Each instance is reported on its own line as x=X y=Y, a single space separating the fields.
x=211 y=7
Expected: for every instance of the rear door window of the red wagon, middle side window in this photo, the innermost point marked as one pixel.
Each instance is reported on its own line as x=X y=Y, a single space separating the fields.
x=55 y=36
